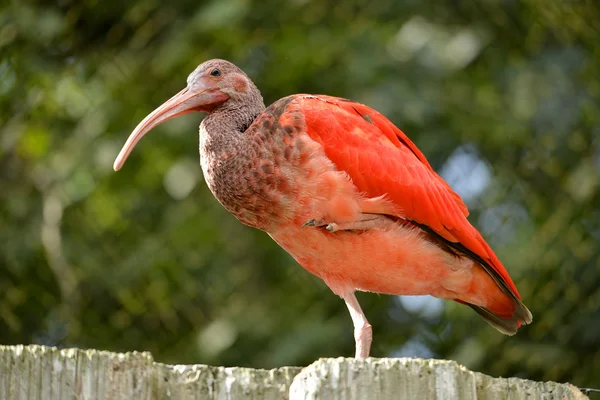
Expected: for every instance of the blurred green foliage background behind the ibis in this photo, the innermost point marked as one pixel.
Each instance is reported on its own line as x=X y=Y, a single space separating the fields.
x=503 y=96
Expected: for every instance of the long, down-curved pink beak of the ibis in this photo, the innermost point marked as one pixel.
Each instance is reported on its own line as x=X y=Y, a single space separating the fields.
x=203 y=98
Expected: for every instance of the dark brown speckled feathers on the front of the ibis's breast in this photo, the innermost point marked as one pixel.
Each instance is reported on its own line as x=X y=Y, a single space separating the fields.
x=246 y=171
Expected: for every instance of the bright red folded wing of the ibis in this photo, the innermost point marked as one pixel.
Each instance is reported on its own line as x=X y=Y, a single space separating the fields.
x=382 y=160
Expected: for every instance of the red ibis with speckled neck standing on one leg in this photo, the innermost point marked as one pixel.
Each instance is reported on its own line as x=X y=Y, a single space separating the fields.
x=344 y=191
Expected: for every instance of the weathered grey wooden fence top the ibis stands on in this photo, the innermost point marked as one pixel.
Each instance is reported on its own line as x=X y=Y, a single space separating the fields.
x=44 y=373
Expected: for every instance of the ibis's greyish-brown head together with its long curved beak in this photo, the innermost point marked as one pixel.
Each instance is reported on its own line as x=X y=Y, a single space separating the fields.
x=214 y=84
